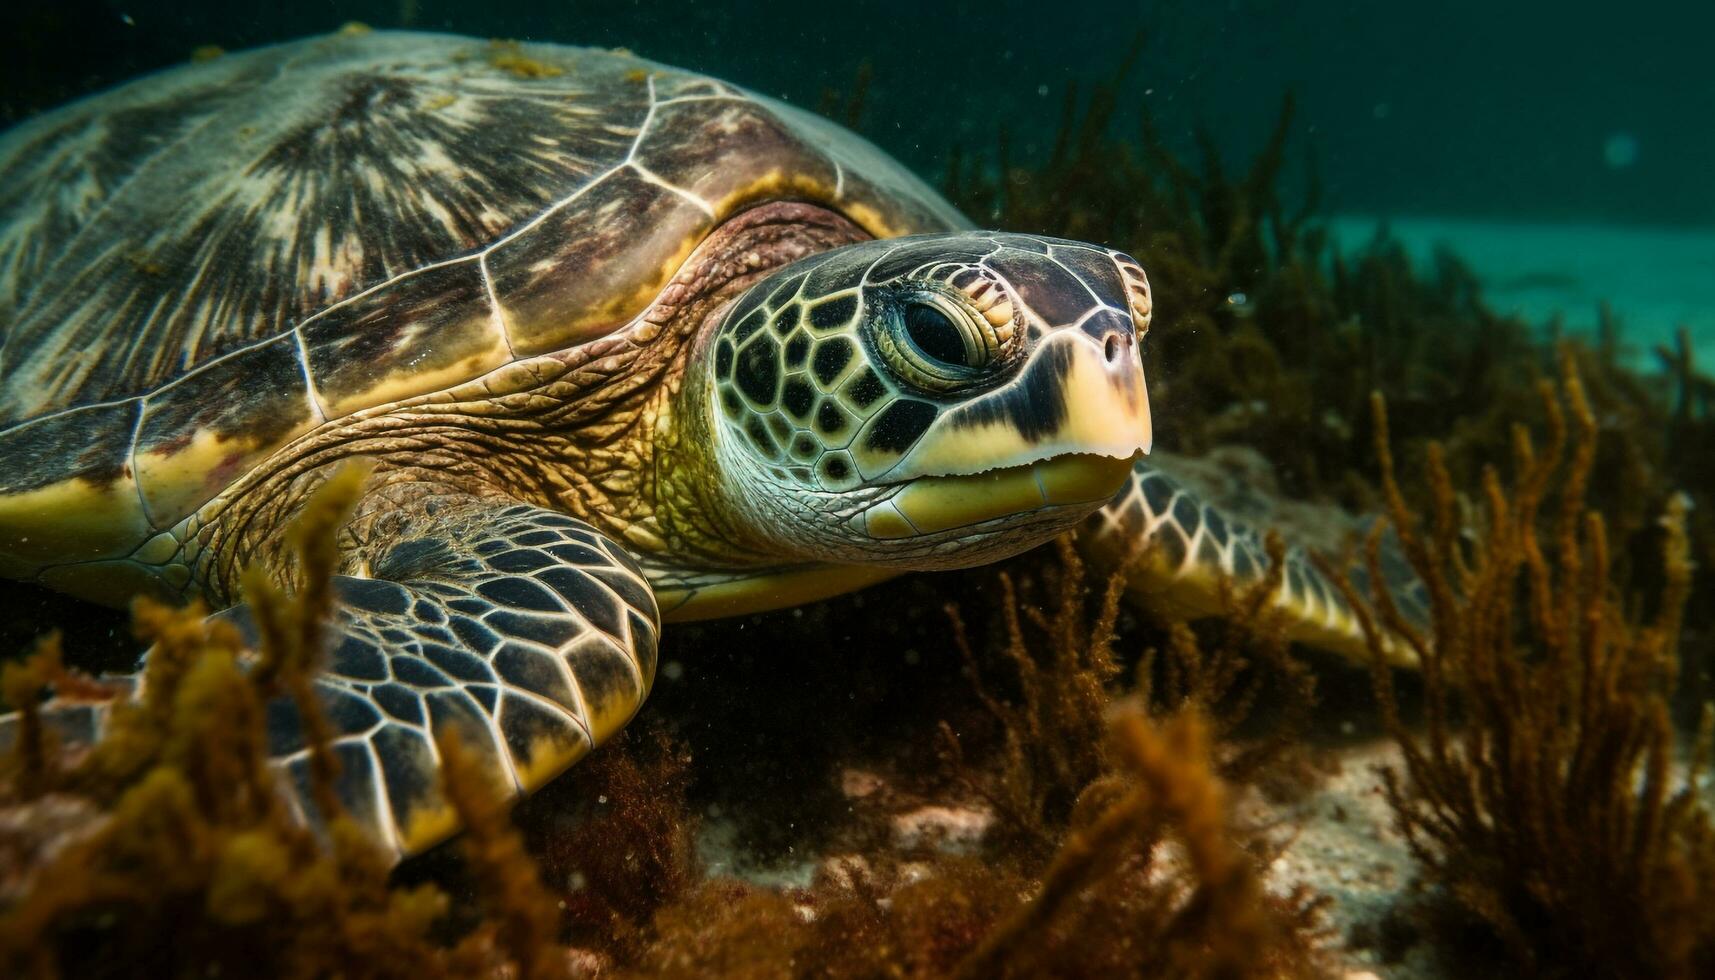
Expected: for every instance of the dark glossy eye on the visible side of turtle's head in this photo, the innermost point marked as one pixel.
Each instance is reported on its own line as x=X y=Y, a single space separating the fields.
x=937 y=344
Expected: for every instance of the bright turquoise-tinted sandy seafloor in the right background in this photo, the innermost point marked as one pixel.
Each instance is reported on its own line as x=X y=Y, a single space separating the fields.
x=1654 y=279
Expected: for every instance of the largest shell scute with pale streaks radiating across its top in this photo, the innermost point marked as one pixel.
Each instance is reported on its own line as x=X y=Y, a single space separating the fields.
x=284 y=221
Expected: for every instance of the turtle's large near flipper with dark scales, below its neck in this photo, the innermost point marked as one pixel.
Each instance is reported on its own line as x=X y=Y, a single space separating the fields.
x=527 y=632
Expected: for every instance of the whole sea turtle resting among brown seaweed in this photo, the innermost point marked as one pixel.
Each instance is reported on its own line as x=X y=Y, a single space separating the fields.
x=625 y=344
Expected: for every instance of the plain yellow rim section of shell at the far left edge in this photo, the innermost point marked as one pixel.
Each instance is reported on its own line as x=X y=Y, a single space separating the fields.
x=71 y=521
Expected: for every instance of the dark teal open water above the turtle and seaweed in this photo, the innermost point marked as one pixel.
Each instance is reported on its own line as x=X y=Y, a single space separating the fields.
x=1598 y=112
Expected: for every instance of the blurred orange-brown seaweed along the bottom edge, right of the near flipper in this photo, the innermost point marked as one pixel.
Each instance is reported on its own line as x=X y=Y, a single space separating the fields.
x=1157 y=883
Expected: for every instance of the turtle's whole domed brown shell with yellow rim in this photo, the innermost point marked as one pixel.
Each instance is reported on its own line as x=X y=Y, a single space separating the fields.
x=205 y=265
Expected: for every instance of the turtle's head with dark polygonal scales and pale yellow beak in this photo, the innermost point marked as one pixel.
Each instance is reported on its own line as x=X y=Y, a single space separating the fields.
x=929 y=402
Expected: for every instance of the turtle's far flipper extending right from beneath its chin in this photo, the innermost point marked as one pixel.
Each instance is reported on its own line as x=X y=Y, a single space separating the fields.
x=1193 y=559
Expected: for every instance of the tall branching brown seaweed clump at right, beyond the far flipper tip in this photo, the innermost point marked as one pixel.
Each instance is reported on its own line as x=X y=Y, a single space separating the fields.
x=1539 y=792
